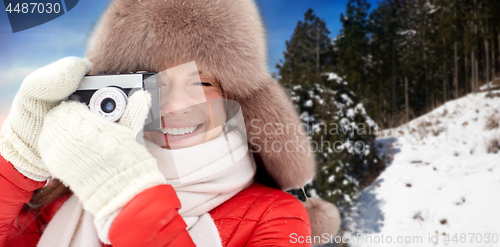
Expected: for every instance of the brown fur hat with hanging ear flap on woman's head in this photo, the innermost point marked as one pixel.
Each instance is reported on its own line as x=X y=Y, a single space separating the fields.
x=226 y=38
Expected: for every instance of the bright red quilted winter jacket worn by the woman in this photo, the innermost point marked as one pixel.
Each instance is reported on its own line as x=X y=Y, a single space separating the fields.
x=257 y=216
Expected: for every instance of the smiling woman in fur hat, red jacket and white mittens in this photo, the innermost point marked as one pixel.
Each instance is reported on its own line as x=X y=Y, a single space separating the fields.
x=199 y=182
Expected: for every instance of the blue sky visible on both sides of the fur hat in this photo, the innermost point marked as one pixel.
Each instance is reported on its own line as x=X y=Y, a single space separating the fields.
x=25 y=51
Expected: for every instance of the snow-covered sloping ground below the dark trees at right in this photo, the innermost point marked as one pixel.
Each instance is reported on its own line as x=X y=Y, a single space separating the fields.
x=441 y=186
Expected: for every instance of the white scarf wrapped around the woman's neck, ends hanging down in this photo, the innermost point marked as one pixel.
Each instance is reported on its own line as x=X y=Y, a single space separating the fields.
x=204 y=177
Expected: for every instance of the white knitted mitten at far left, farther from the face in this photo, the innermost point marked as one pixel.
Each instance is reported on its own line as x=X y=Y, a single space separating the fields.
x=41 y=91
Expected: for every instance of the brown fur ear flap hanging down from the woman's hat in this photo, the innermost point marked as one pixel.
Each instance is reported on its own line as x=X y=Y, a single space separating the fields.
x=274 y=130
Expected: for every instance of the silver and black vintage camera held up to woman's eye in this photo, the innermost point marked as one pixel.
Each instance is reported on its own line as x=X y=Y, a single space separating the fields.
x=107 y=95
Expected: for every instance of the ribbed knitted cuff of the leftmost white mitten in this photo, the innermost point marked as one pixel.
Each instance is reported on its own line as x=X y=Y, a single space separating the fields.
x=14 y=150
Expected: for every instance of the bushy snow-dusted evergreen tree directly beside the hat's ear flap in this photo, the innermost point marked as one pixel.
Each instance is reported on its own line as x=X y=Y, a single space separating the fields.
x=342 y=139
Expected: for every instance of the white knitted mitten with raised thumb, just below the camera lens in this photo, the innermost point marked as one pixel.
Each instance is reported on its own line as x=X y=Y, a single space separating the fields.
x=101 y=161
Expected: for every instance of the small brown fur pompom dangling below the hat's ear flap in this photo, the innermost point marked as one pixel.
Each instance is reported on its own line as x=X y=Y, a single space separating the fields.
x=324 y=217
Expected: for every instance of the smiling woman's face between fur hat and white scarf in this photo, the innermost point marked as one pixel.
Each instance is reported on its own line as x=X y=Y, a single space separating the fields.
x=192 y=108
